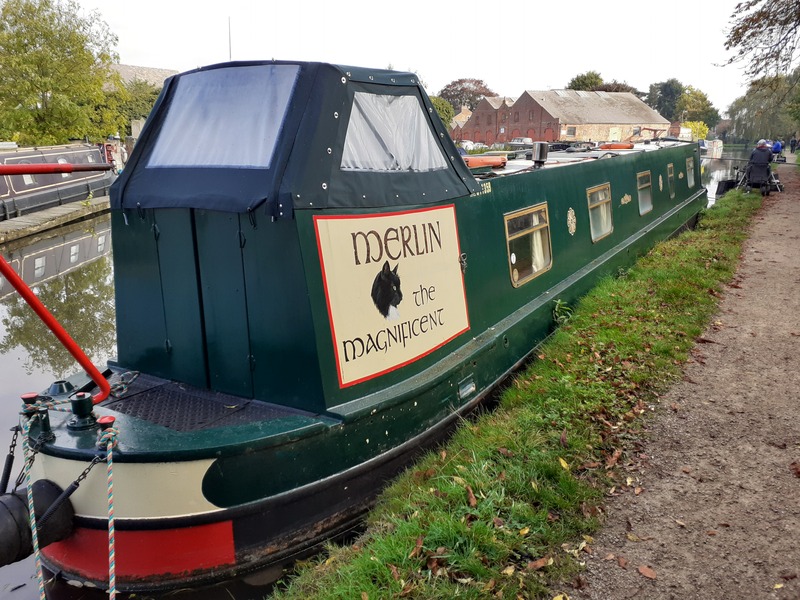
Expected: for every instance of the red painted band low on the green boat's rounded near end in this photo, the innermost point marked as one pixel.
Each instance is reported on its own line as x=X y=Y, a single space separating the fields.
x=144 y=554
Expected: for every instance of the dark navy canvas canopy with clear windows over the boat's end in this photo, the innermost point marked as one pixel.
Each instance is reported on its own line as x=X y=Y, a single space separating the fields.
x=278 y=136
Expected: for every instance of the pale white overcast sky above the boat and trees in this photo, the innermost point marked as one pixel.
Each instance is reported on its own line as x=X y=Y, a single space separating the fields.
x=512 y=46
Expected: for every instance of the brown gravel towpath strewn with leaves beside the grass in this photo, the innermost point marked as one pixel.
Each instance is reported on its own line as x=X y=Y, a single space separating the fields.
x=717 y=515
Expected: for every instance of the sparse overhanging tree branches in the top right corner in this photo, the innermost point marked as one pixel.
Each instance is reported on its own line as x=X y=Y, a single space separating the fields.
x=767 y=34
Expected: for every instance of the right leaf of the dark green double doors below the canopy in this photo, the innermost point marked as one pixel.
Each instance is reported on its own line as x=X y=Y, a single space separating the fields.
x=224 y=302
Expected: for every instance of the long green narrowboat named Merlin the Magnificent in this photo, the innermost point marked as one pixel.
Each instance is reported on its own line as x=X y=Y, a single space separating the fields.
x=311 y=288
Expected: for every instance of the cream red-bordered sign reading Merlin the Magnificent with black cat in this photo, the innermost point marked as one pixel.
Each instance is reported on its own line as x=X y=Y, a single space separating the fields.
x=393 y=287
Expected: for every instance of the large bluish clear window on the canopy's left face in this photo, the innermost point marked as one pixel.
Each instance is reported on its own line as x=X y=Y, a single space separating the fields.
x=225 y=117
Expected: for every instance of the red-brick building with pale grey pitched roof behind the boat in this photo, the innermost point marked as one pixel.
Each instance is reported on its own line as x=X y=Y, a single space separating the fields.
x=563 y=115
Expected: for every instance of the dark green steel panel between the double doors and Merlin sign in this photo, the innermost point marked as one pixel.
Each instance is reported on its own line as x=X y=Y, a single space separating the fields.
x=281 y=333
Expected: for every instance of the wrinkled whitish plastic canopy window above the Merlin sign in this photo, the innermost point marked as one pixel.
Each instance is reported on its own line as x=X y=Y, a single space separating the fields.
x=390 y=133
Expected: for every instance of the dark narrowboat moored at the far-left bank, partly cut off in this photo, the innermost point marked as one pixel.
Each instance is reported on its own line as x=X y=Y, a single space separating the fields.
x=23 y=192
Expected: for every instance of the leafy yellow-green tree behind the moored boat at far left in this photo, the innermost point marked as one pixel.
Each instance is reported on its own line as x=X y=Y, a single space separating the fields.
x=55 y=64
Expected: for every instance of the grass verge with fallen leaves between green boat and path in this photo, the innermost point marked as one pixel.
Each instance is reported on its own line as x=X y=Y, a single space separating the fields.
x=506 y=508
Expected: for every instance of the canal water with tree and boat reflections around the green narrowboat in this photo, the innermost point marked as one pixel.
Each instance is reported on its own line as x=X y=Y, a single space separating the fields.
x=71 y=272
